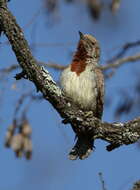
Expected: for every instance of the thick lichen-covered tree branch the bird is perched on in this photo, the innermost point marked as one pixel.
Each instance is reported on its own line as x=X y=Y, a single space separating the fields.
x=116 y=134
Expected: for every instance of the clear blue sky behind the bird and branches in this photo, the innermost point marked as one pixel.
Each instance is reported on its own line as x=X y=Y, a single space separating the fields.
x=50 y=168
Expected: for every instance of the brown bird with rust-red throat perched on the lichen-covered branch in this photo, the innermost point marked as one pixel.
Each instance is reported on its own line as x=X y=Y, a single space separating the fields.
x=83 y=83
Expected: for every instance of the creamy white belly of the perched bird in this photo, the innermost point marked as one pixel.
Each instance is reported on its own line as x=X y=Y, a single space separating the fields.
x=81 y=89
